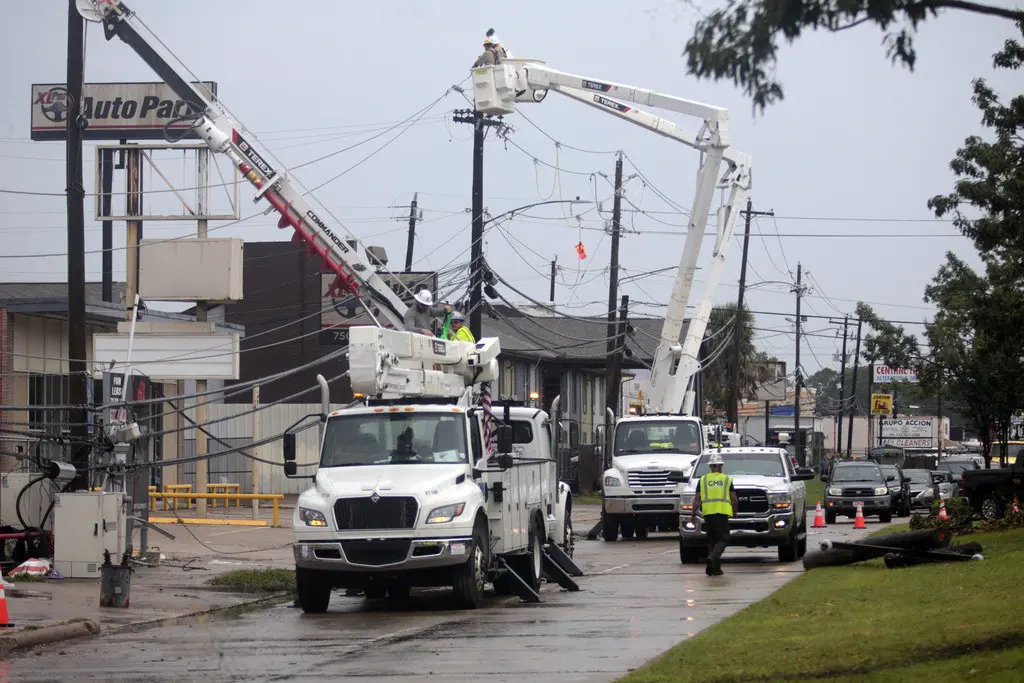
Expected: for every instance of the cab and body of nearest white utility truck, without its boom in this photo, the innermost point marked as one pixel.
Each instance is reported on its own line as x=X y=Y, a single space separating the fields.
x=404 y=497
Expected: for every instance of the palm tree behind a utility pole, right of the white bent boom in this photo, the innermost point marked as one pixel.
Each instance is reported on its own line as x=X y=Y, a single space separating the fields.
x=754 y=364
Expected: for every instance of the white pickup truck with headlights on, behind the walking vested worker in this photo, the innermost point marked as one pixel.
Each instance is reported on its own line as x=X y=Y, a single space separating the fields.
x=773 y=498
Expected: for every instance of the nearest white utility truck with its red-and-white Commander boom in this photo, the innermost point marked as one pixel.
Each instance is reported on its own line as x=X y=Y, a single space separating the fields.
x=410 y=489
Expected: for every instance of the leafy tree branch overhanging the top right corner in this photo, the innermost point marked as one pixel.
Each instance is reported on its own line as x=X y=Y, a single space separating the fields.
x=741 y=41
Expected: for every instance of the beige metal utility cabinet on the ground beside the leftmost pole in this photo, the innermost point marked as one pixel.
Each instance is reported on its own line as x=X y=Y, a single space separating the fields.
x=86 y=525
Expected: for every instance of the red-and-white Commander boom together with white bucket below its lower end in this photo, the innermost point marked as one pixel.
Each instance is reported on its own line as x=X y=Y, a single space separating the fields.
x=388 y=364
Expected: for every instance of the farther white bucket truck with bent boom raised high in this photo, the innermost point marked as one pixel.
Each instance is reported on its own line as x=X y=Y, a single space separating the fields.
x=642 y=451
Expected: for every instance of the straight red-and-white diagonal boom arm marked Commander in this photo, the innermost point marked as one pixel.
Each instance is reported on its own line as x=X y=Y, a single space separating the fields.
x=222 y=135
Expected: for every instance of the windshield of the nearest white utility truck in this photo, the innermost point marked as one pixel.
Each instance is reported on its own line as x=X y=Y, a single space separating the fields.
x=395 y=439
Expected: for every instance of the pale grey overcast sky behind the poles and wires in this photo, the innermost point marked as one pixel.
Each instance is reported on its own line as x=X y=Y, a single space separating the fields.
x=856 y=150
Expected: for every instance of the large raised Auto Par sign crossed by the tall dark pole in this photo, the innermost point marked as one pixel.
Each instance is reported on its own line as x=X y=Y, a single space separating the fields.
x=113 y=111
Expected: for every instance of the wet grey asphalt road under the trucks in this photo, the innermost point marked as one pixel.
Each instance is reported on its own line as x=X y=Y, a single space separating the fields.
x=637 y=601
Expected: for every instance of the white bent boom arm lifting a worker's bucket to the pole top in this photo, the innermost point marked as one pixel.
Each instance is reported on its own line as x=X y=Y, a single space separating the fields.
x=497 y=90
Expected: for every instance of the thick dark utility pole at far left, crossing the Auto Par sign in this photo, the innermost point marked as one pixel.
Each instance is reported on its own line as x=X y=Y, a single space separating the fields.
x=78 y=391
